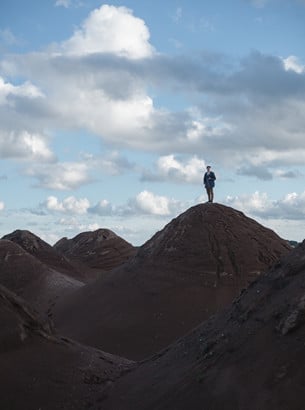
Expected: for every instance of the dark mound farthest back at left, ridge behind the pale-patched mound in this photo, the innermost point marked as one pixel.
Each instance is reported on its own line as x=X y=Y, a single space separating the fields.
x=44 y=252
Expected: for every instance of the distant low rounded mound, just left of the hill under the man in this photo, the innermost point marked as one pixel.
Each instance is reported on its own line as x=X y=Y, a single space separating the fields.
x=101 y=249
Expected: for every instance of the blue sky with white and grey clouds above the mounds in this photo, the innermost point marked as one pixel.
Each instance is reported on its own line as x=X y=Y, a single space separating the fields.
x=110 y=112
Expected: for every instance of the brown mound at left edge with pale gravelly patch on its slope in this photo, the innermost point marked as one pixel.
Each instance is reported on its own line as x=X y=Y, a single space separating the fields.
x=28 y=277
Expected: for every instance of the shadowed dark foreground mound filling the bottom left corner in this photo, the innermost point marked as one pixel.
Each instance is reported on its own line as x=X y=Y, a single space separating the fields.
x=40 y=370
